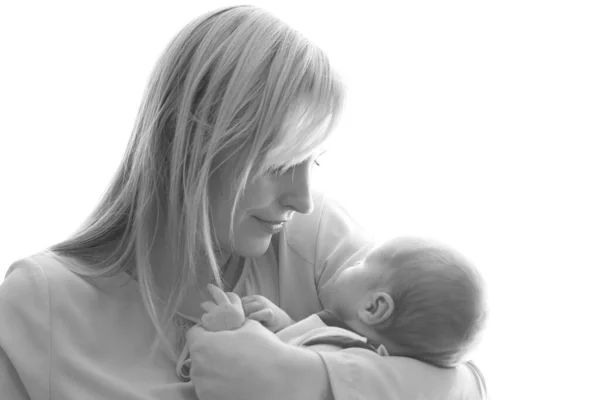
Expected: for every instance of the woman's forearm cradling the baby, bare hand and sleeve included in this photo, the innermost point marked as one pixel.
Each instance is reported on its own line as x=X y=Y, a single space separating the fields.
x=252 y=363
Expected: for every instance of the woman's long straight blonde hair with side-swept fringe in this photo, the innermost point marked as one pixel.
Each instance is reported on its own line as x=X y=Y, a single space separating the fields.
x=223 y=93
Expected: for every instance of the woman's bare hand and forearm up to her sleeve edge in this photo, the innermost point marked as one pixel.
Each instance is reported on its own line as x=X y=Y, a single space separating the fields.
x=251 y=363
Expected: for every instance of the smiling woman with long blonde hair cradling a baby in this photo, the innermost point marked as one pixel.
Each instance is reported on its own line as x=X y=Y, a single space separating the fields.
x=235 y=114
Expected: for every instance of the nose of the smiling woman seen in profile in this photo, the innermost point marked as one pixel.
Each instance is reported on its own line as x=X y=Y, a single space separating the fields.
x=297 y=190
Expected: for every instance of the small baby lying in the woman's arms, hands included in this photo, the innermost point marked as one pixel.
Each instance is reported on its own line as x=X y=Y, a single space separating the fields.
x=409 y=297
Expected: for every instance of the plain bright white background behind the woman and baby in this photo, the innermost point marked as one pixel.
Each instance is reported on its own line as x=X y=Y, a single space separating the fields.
x=472 y=122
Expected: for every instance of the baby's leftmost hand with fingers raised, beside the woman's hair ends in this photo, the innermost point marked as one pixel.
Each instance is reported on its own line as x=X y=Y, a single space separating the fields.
x=225 y=313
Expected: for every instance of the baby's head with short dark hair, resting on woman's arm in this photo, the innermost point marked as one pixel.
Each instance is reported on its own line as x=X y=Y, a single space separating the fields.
x=419 y=298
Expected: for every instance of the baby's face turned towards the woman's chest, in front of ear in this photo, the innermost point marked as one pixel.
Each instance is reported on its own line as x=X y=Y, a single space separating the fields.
x=352 y=284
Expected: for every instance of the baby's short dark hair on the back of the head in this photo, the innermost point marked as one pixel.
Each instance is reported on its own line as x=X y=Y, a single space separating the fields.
x=439 y=306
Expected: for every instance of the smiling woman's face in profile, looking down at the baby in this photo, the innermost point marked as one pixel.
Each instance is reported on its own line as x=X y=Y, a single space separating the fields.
x=268 y=202
